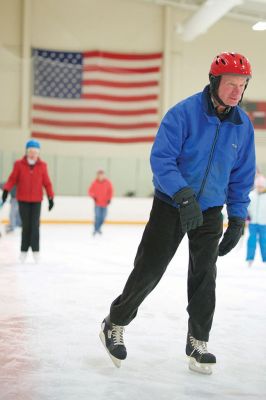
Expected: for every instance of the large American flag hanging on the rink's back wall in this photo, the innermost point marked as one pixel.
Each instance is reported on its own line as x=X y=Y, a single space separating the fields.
x=95 y=96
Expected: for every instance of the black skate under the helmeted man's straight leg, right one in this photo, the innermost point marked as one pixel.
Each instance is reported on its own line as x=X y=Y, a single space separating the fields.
x=200 y=360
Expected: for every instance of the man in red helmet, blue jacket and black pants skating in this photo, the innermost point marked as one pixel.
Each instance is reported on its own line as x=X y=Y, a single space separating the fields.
x=203 y=157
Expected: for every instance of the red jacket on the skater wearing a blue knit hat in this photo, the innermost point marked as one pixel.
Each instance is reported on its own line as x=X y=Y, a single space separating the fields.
x=30 y=181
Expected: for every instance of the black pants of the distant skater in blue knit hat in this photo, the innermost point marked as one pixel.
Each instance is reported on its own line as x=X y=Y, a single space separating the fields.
x=30 y=218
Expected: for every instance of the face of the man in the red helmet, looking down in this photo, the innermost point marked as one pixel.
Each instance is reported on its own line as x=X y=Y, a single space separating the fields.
x=231 y=89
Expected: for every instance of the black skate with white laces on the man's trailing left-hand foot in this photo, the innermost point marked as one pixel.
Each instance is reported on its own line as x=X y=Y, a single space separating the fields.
x=111 y=336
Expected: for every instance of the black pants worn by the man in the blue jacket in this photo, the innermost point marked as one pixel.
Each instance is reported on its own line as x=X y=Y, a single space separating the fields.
x=159 y=243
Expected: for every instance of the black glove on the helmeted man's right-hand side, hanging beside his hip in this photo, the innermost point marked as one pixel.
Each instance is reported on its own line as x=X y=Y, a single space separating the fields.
x=232 y=235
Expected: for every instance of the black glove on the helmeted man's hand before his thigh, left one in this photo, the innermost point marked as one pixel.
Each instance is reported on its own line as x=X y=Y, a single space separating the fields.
x=190 y=212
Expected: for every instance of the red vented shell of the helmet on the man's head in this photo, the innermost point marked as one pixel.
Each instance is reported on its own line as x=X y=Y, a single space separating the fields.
x=230 y=63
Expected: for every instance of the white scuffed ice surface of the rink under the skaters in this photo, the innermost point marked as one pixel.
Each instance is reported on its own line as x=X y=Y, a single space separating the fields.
x=51 y=313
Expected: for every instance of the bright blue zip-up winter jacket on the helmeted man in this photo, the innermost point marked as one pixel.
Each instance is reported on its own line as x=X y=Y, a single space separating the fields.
x=215 y=158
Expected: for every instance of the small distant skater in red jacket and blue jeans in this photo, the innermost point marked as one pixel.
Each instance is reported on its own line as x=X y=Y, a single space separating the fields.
x=101 y=190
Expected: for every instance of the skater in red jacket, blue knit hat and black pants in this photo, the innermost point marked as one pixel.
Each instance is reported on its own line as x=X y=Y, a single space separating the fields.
x=30 y=176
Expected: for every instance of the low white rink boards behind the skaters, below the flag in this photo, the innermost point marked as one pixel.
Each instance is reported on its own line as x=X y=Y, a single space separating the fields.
x=69 y=209
